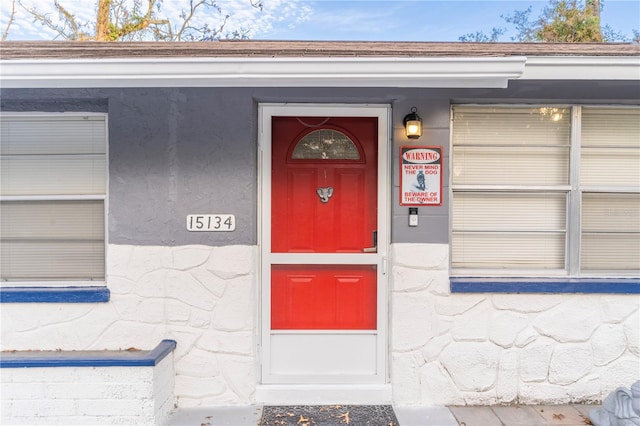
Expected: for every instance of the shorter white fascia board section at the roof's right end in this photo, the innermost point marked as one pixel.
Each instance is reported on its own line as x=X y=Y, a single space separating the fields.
x=582 y=68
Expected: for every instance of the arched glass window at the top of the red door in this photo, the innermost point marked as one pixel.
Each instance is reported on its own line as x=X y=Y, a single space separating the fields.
x=325 y=144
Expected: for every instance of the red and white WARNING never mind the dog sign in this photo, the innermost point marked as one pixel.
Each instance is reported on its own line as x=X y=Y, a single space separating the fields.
x=421 y=176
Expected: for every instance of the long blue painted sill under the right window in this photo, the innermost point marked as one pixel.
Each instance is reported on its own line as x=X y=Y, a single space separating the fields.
x=550 y=285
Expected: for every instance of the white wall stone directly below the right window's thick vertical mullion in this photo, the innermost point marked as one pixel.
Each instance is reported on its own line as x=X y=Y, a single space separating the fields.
x=574 y=320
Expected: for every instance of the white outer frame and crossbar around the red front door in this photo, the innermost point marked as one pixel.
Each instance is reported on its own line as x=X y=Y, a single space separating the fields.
x=265 y=113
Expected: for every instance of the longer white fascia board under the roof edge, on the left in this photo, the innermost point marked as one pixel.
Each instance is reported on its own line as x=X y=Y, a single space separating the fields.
x=262 y=72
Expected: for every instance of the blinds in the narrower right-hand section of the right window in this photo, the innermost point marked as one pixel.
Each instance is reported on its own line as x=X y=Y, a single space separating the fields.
x=610 y=158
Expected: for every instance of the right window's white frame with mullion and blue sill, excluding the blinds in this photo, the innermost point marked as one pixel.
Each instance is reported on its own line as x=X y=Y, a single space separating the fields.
x=569 y=278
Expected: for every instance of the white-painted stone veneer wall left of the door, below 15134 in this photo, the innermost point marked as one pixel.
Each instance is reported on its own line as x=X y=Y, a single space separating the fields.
x=202 y=297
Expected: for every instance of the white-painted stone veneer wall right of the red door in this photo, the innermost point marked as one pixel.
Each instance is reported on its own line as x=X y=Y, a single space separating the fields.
x=503 y=348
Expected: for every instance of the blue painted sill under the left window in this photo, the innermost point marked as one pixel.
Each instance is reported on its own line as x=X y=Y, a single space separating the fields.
x=54 y=294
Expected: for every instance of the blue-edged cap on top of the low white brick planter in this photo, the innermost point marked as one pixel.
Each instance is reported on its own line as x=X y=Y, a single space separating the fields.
x=22 y=359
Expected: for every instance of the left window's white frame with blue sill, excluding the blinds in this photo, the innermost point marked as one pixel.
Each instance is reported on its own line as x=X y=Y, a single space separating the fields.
x=52 y=290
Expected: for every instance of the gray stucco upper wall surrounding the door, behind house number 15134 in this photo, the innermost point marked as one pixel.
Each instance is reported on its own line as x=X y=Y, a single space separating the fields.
x=178 y=151
